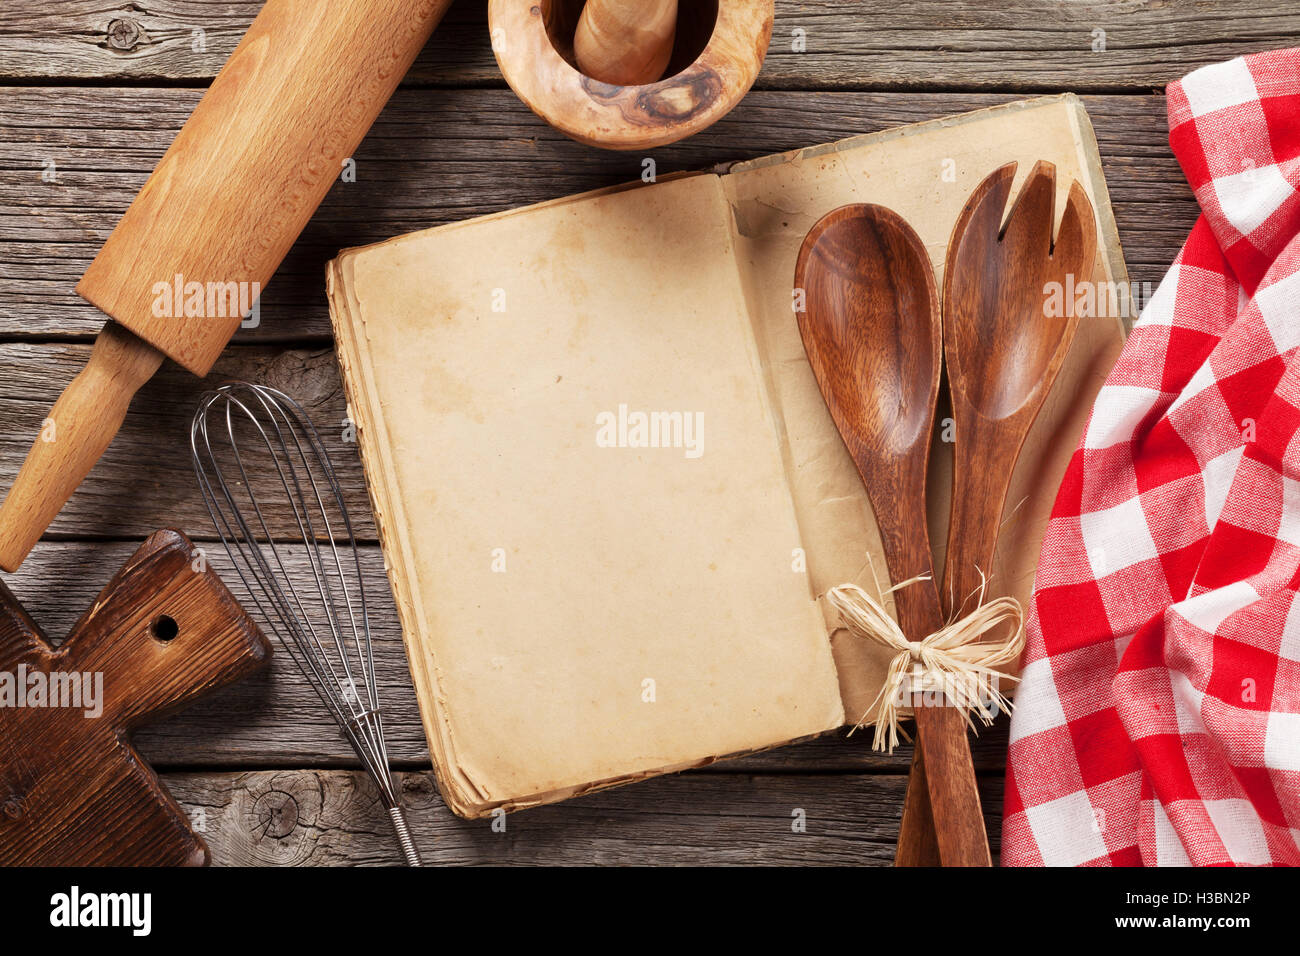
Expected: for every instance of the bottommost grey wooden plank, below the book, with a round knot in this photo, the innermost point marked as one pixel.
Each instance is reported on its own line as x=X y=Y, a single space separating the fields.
x=281 y=819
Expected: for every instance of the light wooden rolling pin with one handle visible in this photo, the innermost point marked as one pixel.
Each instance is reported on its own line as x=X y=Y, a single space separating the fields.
x=216 y=218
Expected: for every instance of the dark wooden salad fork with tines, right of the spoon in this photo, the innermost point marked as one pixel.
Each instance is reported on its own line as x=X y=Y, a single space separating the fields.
x=1004 y=352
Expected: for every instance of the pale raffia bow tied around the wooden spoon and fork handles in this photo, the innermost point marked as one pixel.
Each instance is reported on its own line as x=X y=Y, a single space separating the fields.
x=954 y=660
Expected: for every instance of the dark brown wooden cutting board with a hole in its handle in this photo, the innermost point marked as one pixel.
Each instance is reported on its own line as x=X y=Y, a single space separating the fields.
x=73 y=791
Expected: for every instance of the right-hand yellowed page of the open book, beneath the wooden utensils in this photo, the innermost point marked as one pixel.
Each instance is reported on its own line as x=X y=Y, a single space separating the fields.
x=926 y=174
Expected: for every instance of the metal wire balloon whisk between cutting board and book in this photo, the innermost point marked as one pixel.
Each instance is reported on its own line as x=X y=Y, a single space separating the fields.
x=249 y=438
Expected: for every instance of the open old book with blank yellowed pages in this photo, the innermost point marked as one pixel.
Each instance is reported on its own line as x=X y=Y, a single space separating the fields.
x=609 y=491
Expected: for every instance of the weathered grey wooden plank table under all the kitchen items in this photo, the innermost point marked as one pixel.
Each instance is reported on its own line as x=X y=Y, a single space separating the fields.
x=93 y=96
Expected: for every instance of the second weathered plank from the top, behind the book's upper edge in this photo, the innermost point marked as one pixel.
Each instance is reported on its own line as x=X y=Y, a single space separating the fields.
x=443 y=155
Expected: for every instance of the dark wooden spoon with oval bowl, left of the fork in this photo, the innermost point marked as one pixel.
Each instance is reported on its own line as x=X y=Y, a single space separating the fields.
x=873 y=335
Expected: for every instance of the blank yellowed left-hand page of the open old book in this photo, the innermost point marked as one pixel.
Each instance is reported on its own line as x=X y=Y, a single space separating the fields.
x=579 y=615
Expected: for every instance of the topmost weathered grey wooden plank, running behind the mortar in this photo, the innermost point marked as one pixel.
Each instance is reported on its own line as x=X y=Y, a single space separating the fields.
x=860 y=45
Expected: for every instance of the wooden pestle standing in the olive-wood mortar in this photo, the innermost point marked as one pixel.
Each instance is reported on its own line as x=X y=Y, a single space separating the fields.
x=626 y=42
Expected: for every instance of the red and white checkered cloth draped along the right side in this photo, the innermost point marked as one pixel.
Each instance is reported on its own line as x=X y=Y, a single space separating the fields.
x=1159 y=719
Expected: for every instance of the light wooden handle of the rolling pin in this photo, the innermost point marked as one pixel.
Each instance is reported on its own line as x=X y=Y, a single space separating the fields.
x=77 y=432
